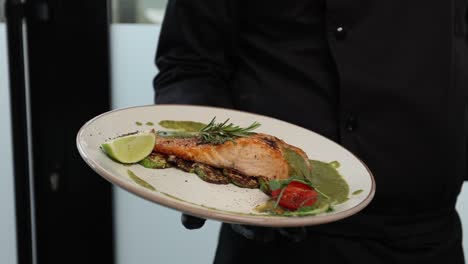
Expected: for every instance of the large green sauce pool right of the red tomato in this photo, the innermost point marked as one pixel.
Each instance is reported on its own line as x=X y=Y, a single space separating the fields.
x=328 y=180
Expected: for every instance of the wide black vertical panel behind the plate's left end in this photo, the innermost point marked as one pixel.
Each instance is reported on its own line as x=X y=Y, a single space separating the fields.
x=68 y=47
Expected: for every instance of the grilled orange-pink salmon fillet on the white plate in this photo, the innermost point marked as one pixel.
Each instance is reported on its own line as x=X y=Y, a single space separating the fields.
x=258 y=155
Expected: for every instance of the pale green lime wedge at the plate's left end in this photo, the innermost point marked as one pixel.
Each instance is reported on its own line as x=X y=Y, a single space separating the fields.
x=131 y=148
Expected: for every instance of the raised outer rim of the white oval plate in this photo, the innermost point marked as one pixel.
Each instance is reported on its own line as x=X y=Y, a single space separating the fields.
x=214 y=214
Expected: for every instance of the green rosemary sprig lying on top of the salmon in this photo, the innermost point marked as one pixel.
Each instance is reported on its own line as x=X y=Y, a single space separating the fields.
x=218 y=133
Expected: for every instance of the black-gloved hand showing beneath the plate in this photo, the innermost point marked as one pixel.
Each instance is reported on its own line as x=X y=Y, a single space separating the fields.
x=257 y=233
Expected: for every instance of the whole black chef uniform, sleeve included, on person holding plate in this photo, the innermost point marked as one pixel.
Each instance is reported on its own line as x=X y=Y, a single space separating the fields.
x=385 y=79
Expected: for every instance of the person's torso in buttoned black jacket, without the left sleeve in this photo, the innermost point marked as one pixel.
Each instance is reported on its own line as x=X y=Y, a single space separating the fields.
x=382 y=78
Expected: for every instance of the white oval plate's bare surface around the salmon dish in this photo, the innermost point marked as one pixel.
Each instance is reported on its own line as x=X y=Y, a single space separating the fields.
x=227 y=203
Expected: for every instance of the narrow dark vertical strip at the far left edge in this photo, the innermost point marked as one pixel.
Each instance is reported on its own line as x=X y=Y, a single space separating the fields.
x=14 y=12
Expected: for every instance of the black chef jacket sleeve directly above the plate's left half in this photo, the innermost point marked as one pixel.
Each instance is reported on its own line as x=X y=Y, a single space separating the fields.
x=194 y=54
